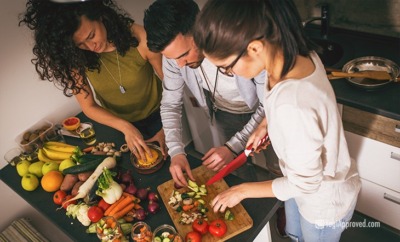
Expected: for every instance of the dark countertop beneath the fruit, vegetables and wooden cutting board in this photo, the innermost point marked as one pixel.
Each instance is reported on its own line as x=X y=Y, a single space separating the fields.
x=42 y=201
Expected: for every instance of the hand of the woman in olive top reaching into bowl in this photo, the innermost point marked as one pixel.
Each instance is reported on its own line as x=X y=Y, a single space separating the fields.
x=137 y=145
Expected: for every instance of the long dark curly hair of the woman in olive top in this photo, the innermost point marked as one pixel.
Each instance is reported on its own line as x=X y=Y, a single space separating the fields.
x=57 y=58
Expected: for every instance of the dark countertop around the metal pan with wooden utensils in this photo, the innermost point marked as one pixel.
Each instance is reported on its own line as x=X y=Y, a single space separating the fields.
x=385 y=101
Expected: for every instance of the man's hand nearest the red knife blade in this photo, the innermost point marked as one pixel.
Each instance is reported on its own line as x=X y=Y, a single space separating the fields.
x=216 y=158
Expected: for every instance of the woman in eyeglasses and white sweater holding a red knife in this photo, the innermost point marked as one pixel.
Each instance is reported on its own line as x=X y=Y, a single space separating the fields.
x=320 y=182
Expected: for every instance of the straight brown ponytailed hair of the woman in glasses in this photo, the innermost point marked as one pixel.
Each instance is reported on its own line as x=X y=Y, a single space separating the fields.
x=225 y=27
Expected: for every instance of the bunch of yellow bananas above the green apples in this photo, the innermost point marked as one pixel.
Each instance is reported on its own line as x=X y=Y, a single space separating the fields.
x=57 y=151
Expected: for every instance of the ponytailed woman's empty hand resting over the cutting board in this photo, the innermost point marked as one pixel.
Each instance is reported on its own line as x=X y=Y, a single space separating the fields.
x=228 y=198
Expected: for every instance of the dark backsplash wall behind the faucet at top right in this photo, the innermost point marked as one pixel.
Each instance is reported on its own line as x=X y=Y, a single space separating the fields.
x=372 y=16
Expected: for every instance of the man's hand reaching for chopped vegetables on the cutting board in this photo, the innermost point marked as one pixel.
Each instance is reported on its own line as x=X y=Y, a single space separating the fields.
x=180 y=164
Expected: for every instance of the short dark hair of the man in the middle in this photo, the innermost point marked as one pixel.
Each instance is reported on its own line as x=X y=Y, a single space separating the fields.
x=165 y=19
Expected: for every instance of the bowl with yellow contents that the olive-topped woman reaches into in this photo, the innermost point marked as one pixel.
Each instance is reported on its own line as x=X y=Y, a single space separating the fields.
x=151 y=164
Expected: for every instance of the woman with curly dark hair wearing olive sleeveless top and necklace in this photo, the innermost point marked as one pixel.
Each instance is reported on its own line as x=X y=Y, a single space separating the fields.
x=94 y=48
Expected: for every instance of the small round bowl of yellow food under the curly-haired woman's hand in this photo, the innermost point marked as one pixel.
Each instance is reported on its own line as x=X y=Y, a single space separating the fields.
x=151 y=167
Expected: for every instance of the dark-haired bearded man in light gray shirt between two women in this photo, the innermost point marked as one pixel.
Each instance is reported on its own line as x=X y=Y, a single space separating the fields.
x=230 y=102
